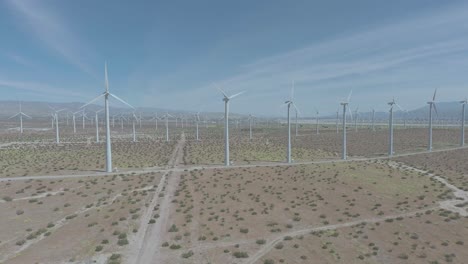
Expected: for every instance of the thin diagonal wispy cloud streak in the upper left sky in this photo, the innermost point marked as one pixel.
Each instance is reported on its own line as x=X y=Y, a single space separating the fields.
x=53 y=31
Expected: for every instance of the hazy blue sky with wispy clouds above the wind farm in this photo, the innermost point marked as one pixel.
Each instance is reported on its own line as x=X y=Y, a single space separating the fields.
x=174 y=54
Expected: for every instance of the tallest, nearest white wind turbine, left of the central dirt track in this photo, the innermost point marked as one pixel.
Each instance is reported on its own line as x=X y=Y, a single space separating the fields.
x=106 y=95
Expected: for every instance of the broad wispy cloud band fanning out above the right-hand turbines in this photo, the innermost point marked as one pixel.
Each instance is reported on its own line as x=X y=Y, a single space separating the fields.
x=400 y=59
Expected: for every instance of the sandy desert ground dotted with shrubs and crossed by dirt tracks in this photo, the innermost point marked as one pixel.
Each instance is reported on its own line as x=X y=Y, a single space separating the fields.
x=174 y=202
